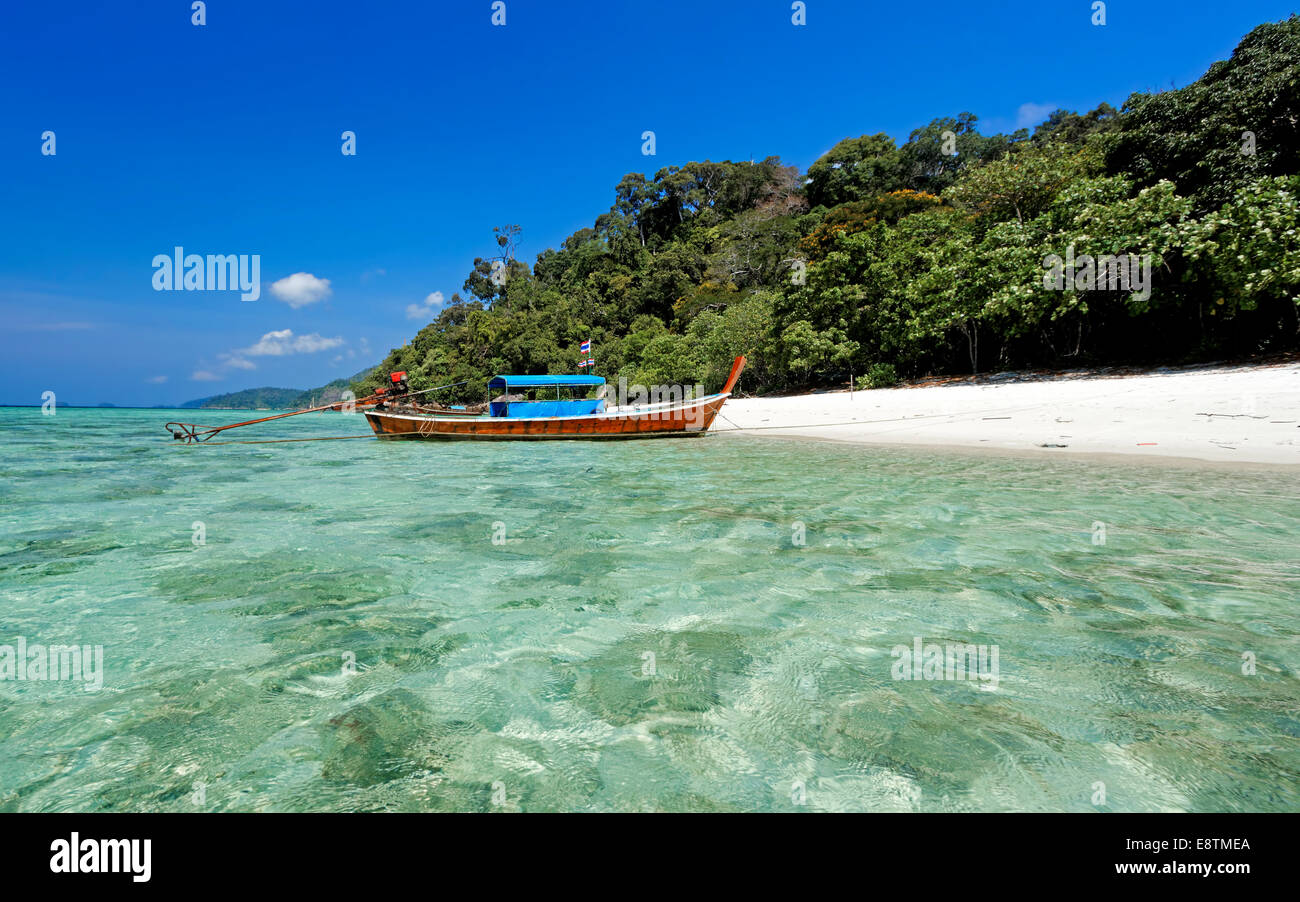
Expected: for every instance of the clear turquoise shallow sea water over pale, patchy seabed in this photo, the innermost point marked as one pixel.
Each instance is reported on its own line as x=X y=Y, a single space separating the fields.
x=644 y=634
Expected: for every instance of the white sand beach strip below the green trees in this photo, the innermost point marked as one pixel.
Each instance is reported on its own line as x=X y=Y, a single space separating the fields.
x=1246 y=414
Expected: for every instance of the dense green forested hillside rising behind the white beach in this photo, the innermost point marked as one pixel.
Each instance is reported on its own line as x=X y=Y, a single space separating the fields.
x=924 y=258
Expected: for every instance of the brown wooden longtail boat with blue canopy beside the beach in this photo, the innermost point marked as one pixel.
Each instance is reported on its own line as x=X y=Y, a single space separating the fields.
x=513 y=418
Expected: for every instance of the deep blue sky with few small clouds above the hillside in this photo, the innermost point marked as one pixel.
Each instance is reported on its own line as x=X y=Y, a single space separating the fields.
x=227 y=140
